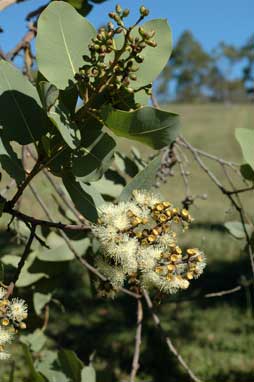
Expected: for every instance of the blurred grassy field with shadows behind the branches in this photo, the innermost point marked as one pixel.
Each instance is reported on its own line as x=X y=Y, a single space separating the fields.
x=216 y=335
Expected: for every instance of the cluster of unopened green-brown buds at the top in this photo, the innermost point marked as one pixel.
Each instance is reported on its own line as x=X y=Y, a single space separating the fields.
x=110 y=67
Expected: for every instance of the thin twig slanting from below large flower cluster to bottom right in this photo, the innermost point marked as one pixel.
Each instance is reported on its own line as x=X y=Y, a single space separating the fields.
x=167 y=339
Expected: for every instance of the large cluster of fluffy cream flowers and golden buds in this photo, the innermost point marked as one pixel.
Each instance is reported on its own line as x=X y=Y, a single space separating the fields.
x=139 y=245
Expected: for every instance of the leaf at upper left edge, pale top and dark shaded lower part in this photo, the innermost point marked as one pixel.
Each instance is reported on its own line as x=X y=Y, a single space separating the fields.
x=21 y=115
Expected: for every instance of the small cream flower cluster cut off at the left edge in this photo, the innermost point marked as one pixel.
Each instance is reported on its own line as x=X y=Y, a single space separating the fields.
x=12 y=314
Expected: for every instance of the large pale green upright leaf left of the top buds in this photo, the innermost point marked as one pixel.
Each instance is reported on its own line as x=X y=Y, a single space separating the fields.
x=62 y=39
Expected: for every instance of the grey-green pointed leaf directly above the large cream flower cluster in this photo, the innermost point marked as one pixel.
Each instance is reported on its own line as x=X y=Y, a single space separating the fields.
x=145 y=179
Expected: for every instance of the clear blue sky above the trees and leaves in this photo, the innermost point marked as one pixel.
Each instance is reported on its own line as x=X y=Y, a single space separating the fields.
x=210 y=21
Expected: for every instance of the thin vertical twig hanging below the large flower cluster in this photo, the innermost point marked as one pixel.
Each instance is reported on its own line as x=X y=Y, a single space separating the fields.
x=136 y=356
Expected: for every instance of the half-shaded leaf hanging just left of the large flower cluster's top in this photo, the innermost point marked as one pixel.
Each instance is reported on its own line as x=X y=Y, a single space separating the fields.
x=85 y=198
